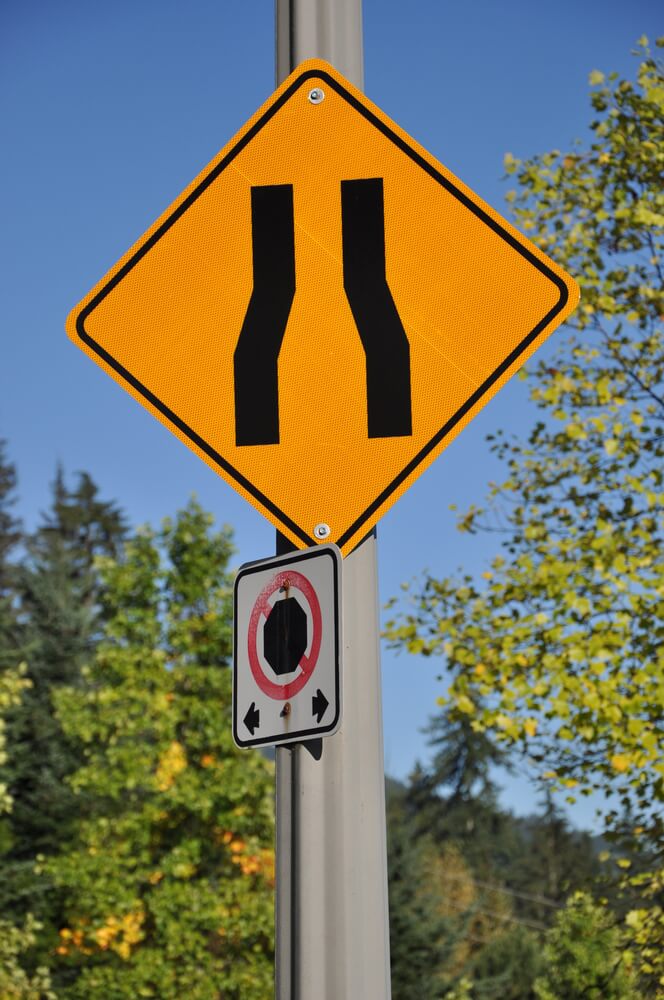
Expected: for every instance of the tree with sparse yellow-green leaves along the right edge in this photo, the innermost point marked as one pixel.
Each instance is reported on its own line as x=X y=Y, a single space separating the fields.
x=559 y=653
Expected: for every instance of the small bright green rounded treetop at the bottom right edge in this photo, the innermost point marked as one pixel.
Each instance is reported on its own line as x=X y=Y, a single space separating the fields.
x=583 y=956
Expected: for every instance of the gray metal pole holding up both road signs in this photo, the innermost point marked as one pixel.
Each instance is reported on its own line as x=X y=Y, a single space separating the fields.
x=332 y=939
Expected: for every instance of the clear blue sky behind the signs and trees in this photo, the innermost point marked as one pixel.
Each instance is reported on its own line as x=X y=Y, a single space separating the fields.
x=108 y=110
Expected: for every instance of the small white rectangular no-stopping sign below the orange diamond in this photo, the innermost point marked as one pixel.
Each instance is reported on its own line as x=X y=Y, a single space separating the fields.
x=287 y=648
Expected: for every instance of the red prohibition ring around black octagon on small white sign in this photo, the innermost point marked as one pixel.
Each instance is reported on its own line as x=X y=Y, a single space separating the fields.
x=261 y=609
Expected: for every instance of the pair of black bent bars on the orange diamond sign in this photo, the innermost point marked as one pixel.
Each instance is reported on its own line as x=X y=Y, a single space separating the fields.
x=381 y=331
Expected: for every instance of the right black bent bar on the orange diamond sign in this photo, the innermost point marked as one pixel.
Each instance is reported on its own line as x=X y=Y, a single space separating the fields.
x=378 y=323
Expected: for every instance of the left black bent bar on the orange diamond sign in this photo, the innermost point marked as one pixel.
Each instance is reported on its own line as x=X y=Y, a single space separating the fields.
x=257 y=351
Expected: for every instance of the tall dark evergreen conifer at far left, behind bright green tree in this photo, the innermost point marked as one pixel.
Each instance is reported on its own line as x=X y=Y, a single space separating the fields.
x=57 y=602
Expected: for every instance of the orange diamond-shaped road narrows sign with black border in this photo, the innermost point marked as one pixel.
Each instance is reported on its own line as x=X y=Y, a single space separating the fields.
x=322 y=310
